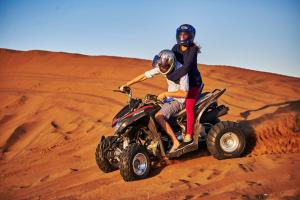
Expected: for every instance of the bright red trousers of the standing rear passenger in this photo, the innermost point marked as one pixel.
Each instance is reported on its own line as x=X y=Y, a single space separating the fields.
x=189 y=104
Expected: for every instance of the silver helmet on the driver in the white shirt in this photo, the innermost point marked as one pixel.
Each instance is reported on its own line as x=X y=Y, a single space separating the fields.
x=165 y=61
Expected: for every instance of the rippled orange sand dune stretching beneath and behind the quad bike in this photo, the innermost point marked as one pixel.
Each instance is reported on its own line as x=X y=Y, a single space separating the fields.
x=55 y=105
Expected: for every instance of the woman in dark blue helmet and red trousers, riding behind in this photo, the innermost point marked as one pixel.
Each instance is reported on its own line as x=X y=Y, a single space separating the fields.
x=186 y=52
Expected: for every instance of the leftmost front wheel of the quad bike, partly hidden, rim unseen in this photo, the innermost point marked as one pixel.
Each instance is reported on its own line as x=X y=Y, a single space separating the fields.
x=101 y=159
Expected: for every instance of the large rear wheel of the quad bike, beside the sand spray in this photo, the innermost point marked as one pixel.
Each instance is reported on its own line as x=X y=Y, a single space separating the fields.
x=226 y=140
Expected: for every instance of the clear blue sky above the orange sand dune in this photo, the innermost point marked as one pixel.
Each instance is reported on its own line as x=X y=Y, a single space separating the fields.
x=258 y=34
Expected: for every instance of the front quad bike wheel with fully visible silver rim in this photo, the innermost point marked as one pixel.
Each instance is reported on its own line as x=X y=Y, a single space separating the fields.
x=134 y=163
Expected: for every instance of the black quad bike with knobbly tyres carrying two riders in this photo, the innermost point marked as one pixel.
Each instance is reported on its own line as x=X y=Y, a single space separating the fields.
x=139 y=140
